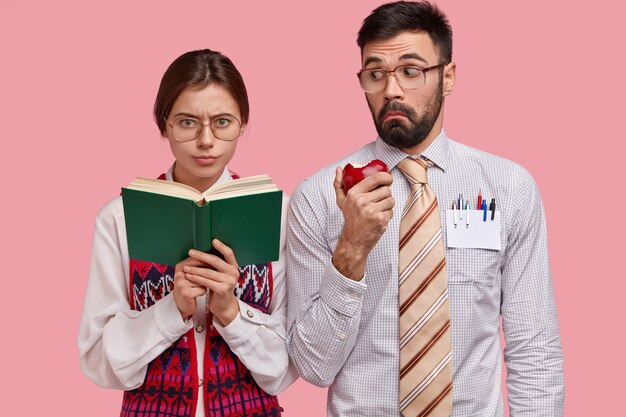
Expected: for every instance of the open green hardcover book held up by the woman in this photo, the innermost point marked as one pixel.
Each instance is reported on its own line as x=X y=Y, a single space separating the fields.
x=165 y=219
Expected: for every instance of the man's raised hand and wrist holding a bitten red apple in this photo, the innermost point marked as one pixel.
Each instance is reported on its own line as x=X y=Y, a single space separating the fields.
x=364 y=197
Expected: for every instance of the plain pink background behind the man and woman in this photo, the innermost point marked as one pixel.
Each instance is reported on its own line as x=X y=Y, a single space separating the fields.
x=538 y=82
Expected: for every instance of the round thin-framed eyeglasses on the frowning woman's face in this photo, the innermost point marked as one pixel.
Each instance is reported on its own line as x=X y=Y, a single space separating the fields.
x=224 y=127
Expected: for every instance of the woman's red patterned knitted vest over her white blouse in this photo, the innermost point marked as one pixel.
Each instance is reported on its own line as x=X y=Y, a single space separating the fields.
x=170 y=388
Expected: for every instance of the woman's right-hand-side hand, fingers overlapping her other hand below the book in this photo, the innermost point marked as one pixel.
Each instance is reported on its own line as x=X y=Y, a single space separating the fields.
x=219 y=276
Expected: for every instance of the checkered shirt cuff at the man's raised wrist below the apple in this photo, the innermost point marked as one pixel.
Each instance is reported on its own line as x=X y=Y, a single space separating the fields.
x=340 y=293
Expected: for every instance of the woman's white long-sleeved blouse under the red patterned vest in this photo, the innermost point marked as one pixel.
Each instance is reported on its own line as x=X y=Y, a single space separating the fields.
x=116 y=343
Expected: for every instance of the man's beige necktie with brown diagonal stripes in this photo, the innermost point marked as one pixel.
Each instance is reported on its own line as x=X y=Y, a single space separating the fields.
x=425 y=349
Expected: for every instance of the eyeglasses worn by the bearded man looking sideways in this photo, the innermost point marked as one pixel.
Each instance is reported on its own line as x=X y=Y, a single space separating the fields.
x=408 y=77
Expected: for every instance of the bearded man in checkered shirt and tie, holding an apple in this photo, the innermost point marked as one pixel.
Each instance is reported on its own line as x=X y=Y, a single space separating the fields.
x=386 y=306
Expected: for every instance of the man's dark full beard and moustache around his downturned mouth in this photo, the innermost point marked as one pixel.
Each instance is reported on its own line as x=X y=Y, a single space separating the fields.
x=395 y=132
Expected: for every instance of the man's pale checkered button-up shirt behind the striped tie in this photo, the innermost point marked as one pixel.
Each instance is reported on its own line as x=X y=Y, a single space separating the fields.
x=344 y=334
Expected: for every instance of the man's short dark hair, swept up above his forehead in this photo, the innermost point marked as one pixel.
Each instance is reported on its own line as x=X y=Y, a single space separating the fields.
x=391 y=19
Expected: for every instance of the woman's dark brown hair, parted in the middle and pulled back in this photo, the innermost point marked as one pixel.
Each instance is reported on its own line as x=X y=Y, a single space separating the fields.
x=198 y=69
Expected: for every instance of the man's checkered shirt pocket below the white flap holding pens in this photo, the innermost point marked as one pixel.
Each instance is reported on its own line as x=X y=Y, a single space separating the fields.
x=473 y=266
